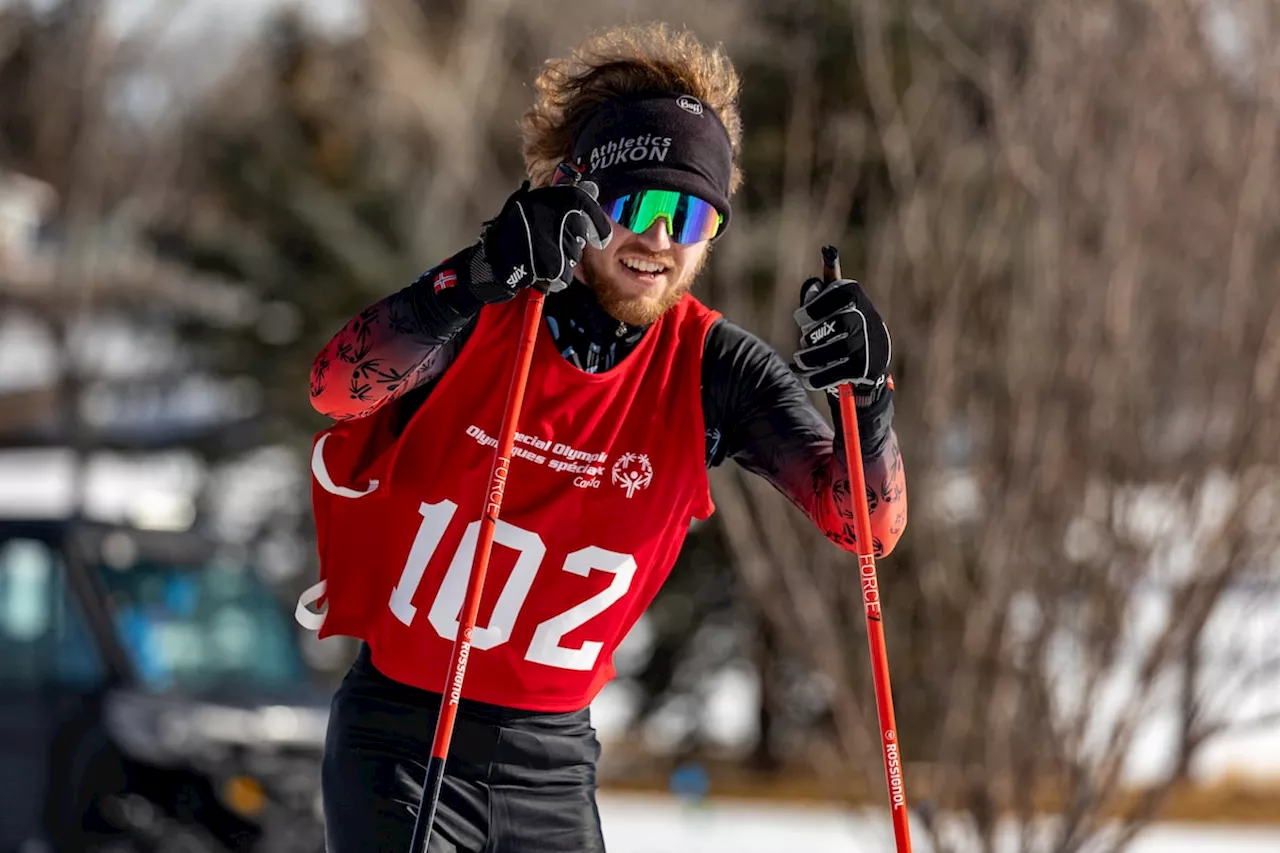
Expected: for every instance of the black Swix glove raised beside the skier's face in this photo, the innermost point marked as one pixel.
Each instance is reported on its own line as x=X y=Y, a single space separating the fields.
x=538 y=240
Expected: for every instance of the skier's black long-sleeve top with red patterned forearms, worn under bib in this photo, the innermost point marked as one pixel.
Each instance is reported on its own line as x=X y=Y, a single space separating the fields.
x=756 y=410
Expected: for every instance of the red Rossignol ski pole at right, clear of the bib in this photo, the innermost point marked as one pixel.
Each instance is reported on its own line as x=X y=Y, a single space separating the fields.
x=871 y=596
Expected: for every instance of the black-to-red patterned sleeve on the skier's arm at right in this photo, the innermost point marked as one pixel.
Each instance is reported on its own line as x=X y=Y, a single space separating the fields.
x=760 y=416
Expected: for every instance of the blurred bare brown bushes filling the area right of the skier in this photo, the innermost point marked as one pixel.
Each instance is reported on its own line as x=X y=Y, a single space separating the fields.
x=1071 y=254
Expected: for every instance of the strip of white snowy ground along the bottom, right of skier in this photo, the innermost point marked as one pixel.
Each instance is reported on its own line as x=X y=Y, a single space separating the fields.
x=662 y=825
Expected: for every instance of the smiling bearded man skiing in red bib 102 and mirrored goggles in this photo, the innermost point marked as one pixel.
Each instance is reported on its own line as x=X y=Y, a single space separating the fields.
x=634 y=393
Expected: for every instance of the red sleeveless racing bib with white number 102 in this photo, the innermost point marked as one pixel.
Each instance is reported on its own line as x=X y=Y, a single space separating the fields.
x=606 y=476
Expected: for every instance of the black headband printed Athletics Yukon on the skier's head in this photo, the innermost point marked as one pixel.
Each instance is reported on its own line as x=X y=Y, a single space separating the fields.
x=668 y=142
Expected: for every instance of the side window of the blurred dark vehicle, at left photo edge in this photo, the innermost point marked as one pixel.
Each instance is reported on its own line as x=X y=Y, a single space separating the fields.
x=44 y=636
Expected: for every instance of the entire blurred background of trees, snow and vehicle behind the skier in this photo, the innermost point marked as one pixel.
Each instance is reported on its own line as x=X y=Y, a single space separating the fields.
x=1067 y=212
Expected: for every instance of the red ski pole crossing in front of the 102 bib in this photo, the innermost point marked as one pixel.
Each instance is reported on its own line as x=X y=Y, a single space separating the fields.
x=481 y=565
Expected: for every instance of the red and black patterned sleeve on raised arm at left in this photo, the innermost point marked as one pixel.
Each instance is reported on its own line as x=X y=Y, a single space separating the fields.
x=396 y=345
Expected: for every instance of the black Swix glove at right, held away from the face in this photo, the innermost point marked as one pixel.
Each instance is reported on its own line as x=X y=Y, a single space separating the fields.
x=843 y=339
